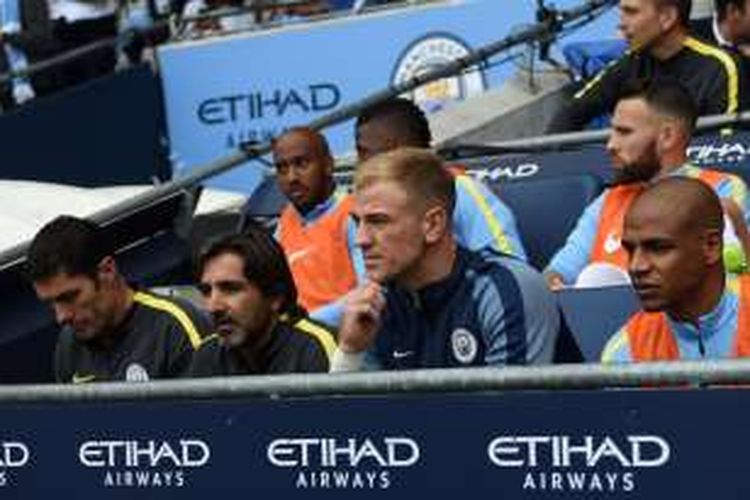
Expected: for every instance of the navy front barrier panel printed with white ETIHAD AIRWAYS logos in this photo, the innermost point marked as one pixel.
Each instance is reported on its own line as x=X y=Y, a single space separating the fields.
x=617 y=444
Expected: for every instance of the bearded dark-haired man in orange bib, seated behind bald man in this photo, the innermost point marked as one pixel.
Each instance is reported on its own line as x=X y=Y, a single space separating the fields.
x=651 y=131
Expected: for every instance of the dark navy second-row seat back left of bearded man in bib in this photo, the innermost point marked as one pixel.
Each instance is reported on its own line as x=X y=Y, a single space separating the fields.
x=546 y=210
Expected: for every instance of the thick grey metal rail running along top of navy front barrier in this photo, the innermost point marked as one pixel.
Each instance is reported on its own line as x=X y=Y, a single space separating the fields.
x=556 y=377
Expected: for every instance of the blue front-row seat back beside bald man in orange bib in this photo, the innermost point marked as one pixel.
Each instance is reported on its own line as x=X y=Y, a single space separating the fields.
x=593 y=315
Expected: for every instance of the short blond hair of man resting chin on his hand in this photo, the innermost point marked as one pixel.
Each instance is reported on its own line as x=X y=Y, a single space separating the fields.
x=419 y=172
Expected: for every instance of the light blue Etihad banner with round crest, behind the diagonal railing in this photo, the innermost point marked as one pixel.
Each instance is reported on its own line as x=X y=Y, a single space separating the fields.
x=222 y=92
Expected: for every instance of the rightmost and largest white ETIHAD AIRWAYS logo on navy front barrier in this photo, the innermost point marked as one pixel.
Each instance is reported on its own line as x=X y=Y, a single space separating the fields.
x=587 y=463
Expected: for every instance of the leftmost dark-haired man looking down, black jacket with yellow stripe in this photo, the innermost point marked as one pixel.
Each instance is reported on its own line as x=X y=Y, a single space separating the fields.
x=110 y=331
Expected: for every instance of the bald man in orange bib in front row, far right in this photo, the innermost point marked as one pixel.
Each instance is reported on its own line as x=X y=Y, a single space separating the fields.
x=692 y=309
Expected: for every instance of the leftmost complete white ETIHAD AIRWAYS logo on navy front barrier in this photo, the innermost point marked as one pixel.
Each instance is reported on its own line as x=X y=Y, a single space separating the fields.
x=145 y=463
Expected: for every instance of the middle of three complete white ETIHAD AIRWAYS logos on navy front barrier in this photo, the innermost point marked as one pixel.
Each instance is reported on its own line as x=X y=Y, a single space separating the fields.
x=353 y=463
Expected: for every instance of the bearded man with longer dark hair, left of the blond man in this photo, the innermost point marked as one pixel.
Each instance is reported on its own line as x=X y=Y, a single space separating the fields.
x=260 y=329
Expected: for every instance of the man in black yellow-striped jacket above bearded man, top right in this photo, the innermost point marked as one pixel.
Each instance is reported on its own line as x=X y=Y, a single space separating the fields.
x=658 y=34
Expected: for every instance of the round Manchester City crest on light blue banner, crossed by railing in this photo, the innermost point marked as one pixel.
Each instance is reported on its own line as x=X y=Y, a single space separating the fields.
x=429 y=52
